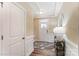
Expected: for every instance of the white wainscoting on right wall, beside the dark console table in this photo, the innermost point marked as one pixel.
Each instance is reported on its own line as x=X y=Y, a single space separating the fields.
x=71 y=48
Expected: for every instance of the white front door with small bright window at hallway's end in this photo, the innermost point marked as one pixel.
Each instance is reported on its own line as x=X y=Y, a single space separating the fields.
x=43 y=32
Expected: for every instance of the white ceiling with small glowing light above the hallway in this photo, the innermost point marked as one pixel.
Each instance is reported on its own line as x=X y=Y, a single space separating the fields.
x=44 y=9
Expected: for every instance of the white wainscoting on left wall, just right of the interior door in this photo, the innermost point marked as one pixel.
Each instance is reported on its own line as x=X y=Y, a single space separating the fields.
x=29 y=47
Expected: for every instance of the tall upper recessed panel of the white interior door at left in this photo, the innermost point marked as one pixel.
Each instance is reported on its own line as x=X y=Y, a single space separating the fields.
x=16 y=22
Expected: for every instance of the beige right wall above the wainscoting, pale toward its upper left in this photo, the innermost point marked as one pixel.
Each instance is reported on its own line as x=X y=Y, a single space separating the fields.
x=71 y=20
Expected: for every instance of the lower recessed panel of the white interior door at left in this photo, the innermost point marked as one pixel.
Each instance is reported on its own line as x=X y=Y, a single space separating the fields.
x=17 y=49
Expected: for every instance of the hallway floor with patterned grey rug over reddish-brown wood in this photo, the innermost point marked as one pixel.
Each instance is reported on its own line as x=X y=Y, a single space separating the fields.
x=42 y=48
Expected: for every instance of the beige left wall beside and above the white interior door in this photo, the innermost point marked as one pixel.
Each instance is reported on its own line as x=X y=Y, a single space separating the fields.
x=29 y=17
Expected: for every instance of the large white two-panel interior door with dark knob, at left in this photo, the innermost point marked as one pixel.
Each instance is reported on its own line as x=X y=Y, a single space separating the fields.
x=13 y=30
